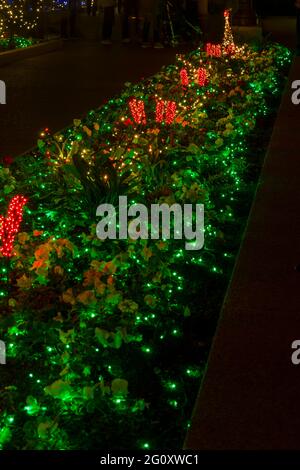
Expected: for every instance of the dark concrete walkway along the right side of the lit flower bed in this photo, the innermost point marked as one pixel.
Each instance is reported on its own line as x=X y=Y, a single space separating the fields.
x=250 y=395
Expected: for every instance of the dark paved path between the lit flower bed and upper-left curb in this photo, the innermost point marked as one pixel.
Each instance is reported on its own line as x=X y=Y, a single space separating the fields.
x=53 y=89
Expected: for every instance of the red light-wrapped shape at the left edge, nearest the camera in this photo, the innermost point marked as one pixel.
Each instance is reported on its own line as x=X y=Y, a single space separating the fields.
x=9 y=226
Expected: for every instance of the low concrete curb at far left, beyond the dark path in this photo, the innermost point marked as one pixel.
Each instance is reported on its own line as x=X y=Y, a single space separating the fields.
x=8 y=57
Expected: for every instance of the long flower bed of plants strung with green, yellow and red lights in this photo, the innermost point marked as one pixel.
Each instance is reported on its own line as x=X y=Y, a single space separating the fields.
x=107 y=340
